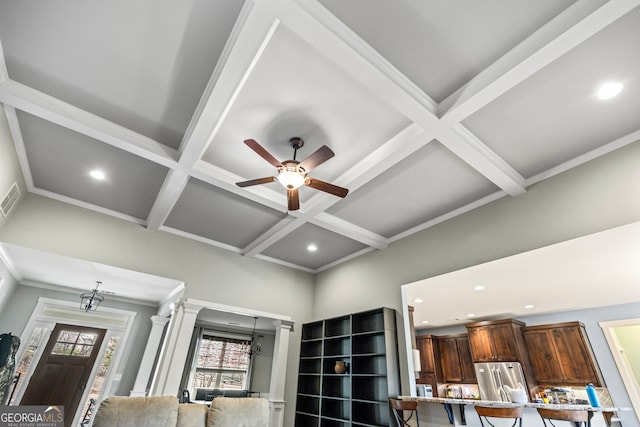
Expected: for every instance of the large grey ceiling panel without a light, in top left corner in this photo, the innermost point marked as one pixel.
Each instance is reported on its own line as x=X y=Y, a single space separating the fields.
x=144 y=63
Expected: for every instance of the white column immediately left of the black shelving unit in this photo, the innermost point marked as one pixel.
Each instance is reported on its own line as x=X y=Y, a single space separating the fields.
x=279 y=373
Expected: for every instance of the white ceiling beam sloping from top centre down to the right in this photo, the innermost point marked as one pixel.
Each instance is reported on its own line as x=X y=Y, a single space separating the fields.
x=315 y=24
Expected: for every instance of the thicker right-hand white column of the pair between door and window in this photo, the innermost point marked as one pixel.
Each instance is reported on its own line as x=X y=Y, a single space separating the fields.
x=174 y=353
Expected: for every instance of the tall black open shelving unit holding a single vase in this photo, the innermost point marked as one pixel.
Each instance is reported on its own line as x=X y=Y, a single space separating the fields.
x=359 y=397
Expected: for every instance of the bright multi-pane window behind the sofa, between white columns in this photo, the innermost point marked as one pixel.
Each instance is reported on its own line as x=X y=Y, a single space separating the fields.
x=221 y=362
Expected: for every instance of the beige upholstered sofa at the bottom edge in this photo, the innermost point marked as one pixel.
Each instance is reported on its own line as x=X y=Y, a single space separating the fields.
x=165 y=411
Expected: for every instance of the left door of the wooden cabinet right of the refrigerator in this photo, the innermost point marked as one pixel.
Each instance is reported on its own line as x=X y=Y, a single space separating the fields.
x=542 y=353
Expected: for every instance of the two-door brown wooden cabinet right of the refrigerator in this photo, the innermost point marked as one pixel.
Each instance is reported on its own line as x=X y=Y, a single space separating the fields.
x=561 y=354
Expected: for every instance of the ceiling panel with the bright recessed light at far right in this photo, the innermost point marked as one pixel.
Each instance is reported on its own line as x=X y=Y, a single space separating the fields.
x=555 y=115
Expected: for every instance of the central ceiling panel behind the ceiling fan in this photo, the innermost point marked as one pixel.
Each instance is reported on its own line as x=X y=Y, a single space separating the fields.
x=293 y=91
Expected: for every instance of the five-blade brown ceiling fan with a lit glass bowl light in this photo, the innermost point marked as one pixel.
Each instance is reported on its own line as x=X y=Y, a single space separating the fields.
x=292 y=174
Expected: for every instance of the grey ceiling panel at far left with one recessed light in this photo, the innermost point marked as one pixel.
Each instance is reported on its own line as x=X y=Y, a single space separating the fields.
x=61 y=160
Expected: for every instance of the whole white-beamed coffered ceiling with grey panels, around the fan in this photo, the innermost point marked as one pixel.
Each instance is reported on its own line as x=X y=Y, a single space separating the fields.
x=432 y=108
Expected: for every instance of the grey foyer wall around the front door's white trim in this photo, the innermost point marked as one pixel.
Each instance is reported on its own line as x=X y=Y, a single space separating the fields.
x=24 y=298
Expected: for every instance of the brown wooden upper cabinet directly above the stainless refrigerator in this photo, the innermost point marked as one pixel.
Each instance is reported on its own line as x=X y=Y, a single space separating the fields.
x=497 y=341
